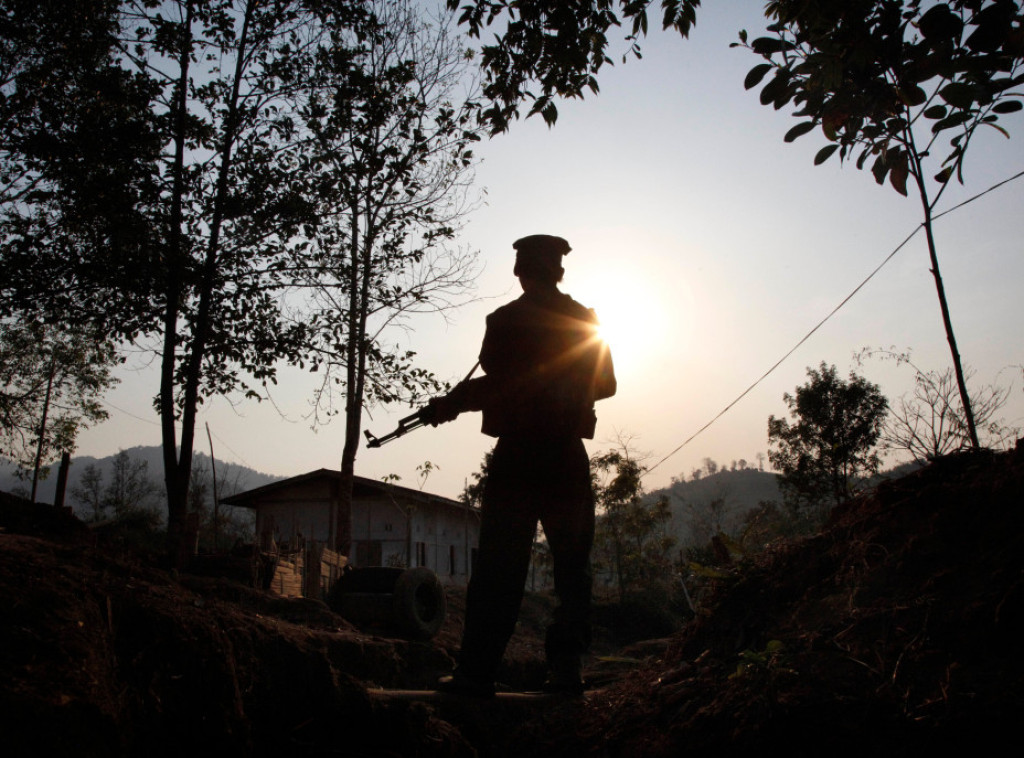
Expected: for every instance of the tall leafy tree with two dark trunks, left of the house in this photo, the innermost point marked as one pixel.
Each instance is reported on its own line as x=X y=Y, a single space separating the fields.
x=235 y=199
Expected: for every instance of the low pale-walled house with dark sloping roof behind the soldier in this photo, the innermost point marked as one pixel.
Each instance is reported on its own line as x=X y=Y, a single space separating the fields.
x=302 y=522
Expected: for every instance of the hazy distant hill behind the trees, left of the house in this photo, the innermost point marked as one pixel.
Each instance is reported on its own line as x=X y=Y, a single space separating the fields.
x=232 y=478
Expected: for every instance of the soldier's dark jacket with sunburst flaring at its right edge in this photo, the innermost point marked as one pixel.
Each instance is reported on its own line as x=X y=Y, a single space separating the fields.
x=545 y=368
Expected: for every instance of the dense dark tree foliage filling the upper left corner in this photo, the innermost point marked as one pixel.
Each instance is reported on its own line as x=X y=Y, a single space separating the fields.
x=77 y=150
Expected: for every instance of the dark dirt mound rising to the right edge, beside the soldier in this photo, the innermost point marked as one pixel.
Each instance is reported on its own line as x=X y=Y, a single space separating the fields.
x=893 y=633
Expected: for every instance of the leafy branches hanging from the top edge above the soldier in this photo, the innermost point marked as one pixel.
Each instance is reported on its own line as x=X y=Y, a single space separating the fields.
x=556 y=48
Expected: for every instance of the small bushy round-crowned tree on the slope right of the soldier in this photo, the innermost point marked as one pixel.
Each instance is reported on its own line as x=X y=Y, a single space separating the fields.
x=829 y=449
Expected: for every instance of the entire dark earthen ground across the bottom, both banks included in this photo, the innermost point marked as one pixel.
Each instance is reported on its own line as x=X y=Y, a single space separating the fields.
x=892 y=633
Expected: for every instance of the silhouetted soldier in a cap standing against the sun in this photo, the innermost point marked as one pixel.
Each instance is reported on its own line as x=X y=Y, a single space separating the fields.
x=545 y=368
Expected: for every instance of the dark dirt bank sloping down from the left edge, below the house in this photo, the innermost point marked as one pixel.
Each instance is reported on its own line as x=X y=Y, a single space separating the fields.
x=104 y=656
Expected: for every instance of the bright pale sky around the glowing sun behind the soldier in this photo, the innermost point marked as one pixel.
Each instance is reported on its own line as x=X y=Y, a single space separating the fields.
x=709 y=248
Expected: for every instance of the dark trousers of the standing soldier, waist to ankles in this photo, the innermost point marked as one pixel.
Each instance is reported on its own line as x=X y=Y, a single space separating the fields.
x=531 y=481
